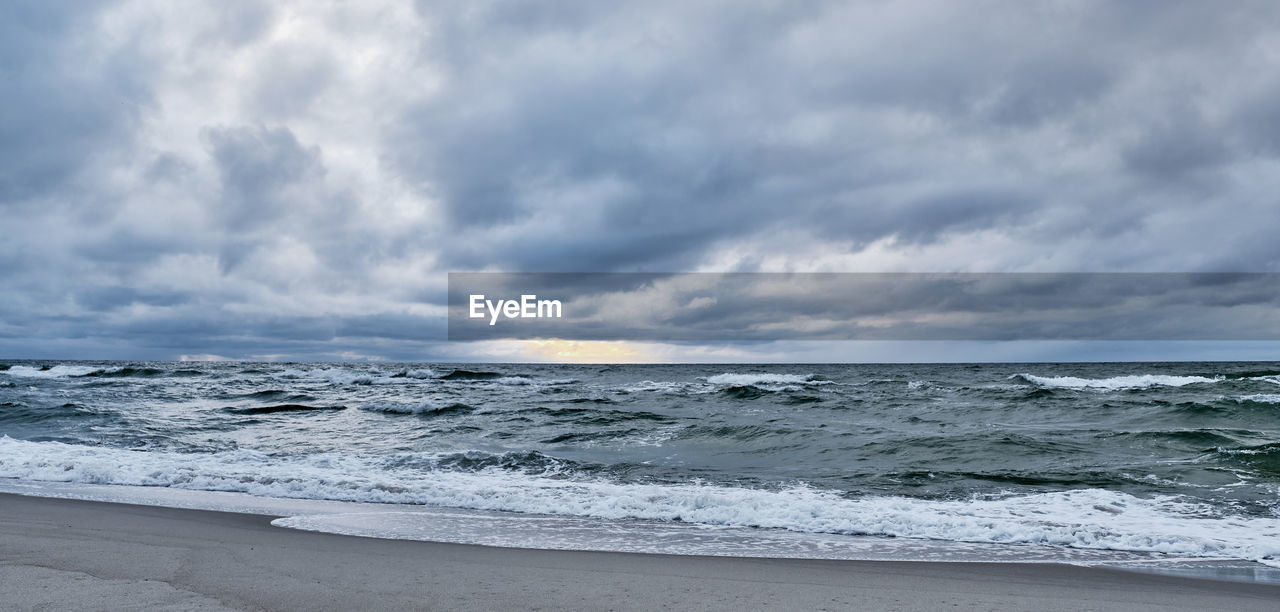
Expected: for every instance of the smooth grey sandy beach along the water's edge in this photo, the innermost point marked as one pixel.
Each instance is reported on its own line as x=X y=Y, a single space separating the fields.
x=60 y=555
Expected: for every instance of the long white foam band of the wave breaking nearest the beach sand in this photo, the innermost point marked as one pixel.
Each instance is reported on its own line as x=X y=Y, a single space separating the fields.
x=1087 y=519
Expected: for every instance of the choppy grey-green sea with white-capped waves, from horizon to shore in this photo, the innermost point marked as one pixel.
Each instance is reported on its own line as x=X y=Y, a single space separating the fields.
x=1163 y=467
